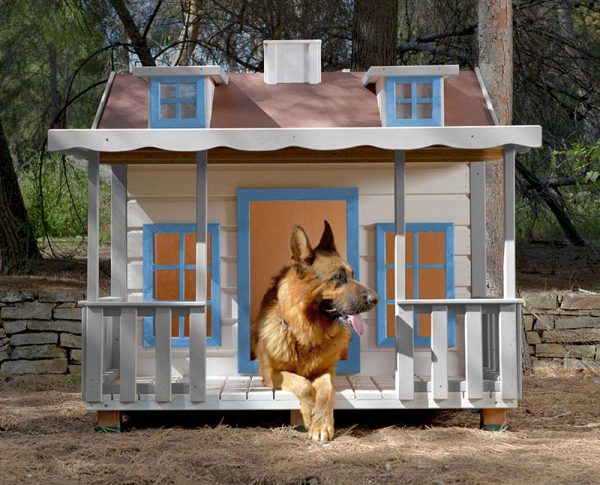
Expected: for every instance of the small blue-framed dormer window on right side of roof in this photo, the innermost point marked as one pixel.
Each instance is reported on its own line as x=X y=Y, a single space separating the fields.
x=413 y=101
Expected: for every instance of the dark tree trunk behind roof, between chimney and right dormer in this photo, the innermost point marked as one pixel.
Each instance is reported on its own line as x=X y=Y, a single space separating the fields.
x=374 y=33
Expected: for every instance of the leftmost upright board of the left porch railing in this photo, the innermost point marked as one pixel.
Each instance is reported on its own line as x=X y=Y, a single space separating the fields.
x=94 y=335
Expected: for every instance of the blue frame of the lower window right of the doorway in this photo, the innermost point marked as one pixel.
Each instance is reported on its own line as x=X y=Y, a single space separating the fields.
x=383 y=265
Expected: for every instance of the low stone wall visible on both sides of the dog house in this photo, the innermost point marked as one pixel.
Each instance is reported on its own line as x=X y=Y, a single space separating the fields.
x=40 y=332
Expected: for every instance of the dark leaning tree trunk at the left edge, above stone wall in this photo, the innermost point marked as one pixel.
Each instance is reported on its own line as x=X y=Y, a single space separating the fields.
x=18 y=244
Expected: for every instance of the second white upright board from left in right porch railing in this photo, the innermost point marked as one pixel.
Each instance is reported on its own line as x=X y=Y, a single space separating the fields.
x=439 y=351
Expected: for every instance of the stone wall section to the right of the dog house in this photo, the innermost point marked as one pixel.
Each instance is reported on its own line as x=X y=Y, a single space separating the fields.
x=563 y=329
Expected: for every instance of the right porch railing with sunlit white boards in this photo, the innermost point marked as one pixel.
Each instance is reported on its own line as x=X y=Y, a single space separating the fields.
x=499 y=343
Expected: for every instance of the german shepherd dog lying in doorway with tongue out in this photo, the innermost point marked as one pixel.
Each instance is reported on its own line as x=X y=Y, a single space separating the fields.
x=305 y=322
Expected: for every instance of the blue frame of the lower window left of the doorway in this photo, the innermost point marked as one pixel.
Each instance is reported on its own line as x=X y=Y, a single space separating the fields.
x=150 y=268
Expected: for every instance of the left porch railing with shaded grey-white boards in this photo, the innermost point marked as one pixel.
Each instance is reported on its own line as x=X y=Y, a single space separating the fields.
x=95 y=342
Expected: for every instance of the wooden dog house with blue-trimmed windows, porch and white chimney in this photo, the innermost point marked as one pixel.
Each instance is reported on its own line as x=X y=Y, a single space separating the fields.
x=210 y=170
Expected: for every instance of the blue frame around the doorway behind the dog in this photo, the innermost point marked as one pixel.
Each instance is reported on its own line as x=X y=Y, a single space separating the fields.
x=244 y=197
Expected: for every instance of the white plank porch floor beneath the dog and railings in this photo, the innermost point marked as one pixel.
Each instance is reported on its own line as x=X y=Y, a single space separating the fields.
x=248 y=392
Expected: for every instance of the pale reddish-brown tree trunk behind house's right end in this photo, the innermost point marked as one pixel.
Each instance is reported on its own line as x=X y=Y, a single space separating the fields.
x=495 y=37
